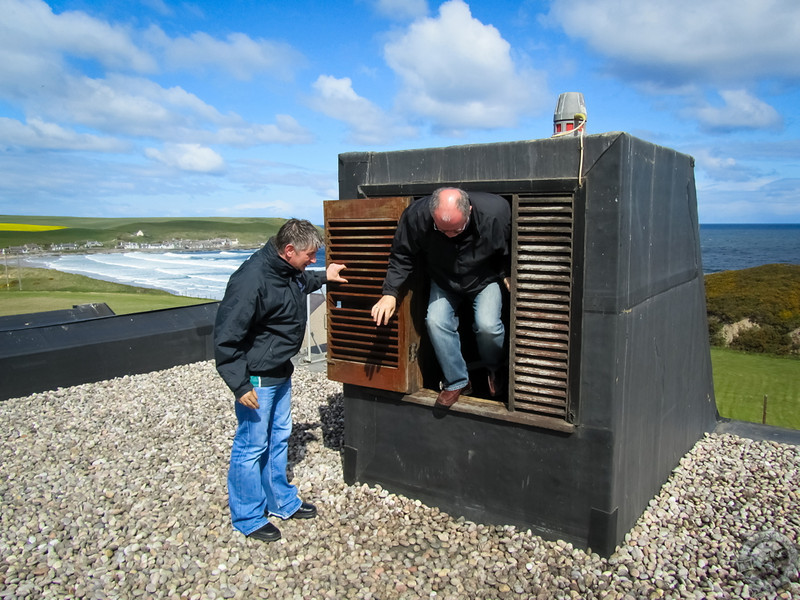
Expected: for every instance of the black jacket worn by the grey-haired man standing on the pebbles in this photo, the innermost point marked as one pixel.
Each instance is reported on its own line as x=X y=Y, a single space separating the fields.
x=261 y=319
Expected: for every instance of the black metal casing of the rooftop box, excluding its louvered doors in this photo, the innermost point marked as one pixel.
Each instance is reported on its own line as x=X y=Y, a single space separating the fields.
x=644 y=391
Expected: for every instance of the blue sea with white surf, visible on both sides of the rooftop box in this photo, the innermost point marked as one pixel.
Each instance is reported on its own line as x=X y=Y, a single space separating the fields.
x=205 y=274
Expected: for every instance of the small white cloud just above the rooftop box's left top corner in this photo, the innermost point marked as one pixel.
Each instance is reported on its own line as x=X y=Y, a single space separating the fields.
x=369 y=124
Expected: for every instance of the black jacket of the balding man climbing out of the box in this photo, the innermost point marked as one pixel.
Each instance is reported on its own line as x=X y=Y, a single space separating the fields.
x=464 y=264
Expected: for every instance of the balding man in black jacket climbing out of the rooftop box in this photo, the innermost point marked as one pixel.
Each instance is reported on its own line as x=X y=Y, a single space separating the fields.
x=463 y=240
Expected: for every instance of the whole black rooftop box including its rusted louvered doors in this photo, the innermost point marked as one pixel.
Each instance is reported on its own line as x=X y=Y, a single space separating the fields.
x=609 y=368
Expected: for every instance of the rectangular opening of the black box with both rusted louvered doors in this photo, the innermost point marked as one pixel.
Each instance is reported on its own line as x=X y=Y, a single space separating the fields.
x=539 y=313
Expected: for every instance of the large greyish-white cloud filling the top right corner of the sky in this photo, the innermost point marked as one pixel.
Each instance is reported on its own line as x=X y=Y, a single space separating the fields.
x=714 y=40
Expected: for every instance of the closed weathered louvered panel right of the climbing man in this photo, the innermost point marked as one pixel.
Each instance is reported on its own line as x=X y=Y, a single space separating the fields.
x=542 y=261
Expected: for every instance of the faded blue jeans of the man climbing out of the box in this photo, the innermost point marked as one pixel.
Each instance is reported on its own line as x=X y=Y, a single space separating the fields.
x=442 y=323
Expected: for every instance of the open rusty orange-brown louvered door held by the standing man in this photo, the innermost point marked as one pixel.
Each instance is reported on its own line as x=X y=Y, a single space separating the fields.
x=359 y=233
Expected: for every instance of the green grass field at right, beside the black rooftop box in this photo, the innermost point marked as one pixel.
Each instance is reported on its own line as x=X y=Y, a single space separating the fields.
x=742 y=380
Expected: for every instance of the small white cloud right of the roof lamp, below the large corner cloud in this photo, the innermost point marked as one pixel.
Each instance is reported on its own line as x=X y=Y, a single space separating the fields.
x=741 y=110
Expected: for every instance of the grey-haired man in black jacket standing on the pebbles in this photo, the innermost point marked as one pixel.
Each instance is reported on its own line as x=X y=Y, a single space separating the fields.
x=259 y=328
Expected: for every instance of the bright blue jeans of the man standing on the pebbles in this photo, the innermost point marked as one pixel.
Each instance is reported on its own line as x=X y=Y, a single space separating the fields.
x=257 y=480
